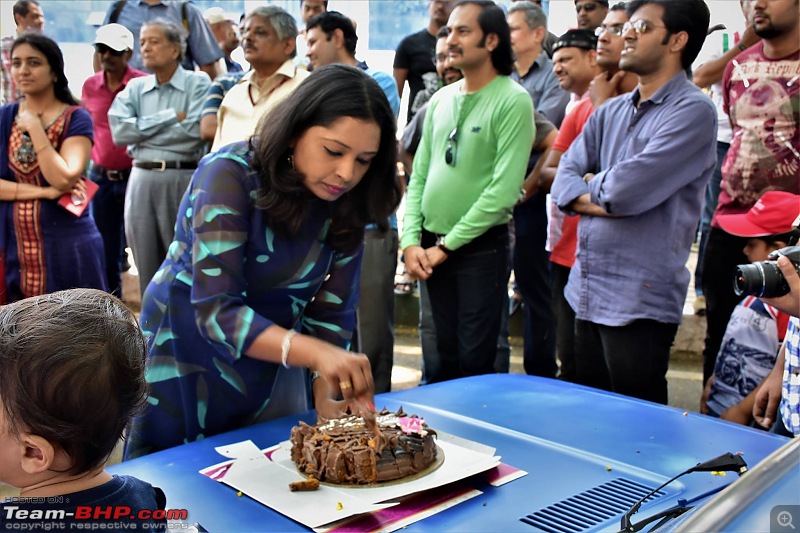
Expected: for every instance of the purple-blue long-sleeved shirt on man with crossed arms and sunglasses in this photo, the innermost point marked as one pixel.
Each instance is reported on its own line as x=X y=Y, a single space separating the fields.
x=651 y=165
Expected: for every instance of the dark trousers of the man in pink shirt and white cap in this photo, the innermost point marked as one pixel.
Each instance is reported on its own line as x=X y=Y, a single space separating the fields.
x=108 y=207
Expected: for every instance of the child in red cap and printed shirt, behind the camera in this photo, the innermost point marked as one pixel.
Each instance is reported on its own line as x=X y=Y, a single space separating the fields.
x=755 y=329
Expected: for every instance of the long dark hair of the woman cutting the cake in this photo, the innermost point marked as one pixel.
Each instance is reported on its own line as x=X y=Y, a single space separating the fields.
x=328 y=94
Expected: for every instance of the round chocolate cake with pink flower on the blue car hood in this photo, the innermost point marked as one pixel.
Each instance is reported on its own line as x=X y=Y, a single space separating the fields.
x=347 y=451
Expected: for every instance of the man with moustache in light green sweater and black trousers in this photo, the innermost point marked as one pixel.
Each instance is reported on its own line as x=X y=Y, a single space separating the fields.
x=468 y=172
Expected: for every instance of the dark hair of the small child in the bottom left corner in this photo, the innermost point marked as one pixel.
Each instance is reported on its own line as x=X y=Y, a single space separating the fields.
x=72 y=371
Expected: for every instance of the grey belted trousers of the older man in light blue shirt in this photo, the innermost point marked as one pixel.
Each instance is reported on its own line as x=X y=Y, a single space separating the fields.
x=151 y=208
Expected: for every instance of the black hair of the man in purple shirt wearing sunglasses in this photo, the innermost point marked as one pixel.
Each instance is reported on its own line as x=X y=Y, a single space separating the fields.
x=691 y=16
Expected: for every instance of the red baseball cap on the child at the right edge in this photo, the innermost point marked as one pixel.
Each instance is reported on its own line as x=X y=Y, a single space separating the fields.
x=773 y=214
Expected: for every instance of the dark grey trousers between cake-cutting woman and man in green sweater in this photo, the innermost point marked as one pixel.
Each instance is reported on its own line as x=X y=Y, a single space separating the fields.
x=375 y=316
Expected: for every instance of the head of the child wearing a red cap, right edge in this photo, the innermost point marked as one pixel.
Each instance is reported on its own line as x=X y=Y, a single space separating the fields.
x=768 y=224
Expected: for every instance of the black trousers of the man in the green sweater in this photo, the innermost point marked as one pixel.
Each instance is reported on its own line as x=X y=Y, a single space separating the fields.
x=466 y=294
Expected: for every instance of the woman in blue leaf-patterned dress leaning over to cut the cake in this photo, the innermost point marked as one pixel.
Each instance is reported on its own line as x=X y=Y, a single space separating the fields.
x=268 y=241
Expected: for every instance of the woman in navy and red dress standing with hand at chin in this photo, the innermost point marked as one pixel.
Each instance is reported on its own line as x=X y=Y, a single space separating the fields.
x=45 y=140
